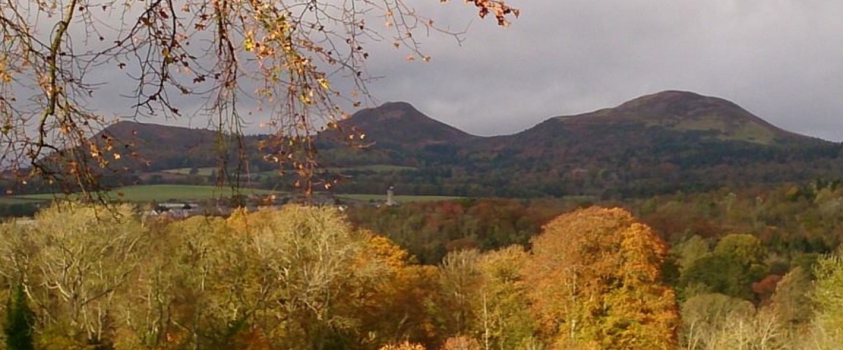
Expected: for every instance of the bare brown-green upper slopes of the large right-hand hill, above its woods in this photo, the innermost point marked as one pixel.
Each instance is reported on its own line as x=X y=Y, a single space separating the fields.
x=644 y=118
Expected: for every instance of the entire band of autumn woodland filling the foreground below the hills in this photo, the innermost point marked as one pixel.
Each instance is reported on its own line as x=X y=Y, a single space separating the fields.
x=750 y=269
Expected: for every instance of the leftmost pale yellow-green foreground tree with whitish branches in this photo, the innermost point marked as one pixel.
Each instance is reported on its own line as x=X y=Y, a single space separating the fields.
x=74 y=262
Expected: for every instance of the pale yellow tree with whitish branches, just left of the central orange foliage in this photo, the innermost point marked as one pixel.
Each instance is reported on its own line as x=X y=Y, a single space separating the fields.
x=301 y=273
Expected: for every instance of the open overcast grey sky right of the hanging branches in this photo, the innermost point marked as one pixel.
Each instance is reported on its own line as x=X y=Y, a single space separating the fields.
x=780 y=59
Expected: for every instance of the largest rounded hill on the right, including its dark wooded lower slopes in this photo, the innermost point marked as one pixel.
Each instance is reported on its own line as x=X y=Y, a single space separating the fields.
x=662 y=142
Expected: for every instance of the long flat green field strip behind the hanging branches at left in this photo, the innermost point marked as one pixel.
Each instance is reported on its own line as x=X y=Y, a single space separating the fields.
x=148 y=193
